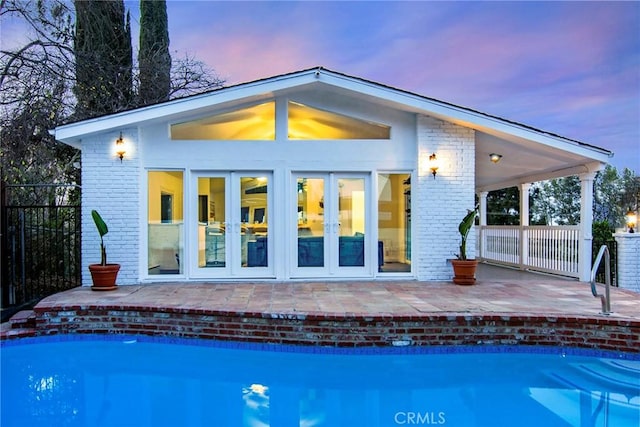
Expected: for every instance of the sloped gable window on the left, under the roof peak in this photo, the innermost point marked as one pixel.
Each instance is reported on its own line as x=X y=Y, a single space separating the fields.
x=252 y=123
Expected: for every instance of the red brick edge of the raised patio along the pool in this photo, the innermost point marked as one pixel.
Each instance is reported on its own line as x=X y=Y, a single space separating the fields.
x=348 y=330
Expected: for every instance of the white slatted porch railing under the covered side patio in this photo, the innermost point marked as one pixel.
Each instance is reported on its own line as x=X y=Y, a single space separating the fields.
x=551 y=249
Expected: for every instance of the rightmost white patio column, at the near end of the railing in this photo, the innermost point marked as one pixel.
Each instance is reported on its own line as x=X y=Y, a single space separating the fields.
x=586 y=219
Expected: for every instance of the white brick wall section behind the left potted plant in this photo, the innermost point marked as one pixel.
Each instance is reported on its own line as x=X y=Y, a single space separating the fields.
x=112 y=188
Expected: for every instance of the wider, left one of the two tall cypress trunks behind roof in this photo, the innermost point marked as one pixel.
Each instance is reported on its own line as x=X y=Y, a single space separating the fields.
x=103 y=58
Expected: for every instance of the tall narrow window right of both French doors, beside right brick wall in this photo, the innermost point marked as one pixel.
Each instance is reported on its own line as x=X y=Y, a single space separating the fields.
x=394 y=222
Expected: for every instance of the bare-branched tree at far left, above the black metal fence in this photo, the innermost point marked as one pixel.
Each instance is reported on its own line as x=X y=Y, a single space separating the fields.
x=36 y=97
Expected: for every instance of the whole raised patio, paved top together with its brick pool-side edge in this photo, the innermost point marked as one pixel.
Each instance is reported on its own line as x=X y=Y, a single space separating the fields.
x=532 y=309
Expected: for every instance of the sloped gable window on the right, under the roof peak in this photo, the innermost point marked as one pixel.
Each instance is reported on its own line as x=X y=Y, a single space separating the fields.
x=311 y=123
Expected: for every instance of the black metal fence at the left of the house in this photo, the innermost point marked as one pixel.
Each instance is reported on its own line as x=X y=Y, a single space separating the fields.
x=40 y=250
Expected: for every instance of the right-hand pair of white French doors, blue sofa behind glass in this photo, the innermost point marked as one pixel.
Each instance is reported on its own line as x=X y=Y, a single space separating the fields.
x=331 y=222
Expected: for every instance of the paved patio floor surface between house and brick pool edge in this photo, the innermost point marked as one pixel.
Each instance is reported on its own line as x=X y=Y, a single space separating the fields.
x=534 y=294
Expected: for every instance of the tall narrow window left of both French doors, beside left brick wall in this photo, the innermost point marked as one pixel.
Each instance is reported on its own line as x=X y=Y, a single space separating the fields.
x=165 y=222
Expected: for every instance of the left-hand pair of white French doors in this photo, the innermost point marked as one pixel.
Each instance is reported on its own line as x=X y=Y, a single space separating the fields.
x=232 y=228
